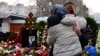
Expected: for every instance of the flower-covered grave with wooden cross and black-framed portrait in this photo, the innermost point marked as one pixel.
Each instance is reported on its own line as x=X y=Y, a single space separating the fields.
x=29 y=41
